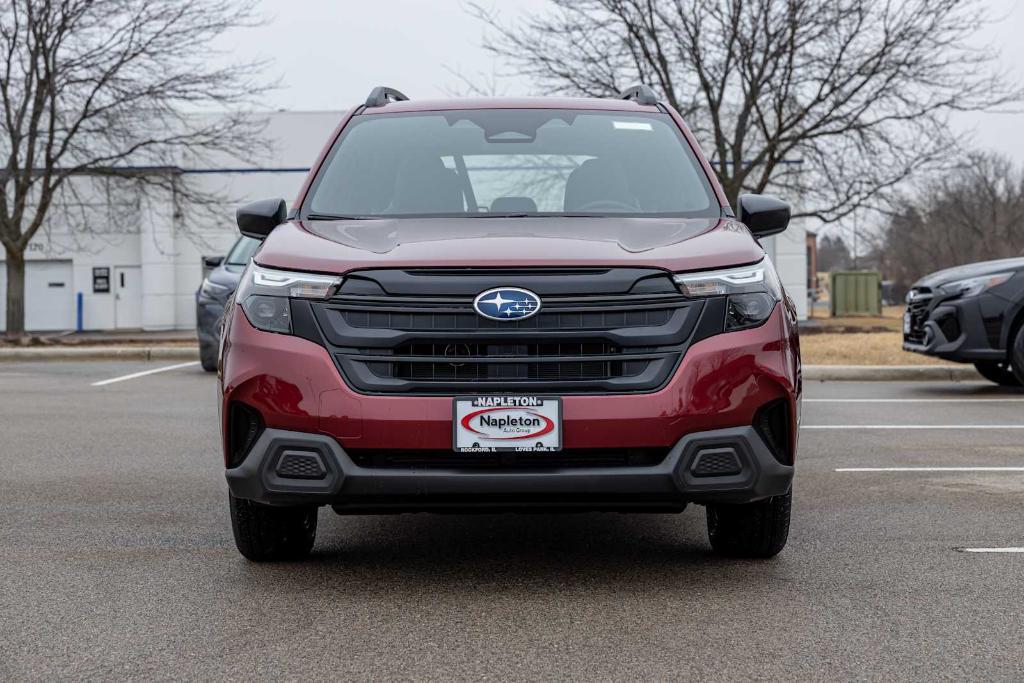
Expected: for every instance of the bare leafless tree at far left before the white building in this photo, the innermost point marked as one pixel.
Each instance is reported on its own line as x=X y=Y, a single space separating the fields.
x=102 y=90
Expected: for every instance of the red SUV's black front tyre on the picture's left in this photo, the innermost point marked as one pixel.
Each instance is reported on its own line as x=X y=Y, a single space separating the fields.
x=268 y=533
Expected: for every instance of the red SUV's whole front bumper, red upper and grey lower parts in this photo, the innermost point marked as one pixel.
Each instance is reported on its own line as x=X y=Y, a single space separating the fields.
x=713 y=400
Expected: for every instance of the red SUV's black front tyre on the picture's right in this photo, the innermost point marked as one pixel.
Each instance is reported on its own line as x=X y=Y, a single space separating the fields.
x=753 y=530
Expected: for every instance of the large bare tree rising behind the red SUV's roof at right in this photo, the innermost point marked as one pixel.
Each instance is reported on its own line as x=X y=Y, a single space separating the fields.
x=858 y=92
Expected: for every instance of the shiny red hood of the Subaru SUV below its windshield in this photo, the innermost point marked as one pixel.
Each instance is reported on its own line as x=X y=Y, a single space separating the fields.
x=673 y=244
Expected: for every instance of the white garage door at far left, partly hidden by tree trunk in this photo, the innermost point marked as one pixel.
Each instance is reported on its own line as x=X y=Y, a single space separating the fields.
x=50 y=296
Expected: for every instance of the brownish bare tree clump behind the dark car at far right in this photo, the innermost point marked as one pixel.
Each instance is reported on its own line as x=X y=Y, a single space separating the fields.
x=975 y=214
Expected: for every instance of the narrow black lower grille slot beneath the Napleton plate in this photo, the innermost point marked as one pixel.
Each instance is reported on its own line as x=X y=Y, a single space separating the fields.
x=508 y=461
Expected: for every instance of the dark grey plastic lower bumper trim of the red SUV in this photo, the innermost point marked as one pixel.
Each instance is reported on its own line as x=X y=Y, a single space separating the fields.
x=329 y=477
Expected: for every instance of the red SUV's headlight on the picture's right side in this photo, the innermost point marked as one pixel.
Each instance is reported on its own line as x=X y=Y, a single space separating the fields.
x=753 y=292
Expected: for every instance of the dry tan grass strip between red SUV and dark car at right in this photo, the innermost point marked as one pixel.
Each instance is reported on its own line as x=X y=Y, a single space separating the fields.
x=869 y=349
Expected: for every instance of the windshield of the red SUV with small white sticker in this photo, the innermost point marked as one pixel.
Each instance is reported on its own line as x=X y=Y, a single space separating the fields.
x=511 y=162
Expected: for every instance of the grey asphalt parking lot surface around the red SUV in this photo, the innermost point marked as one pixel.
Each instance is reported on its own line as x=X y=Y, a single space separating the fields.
x=118 y=560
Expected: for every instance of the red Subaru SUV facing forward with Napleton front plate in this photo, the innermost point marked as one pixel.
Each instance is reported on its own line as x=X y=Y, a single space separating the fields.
x=510 y=305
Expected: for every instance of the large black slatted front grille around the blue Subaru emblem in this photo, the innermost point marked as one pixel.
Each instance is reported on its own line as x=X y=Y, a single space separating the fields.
x=389 y=336
